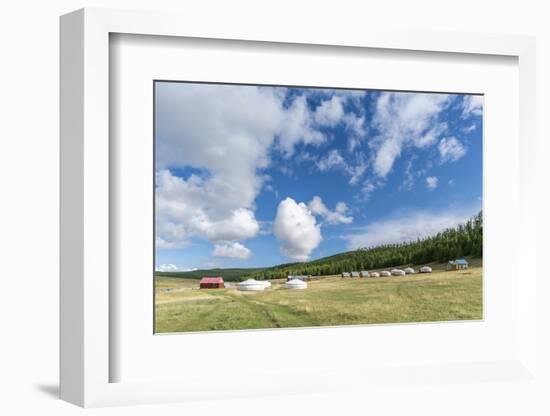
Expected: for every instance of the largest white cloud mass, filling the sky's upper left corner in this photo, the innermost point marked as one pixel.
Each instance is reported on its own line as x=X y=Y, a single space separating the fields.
x=209 y=127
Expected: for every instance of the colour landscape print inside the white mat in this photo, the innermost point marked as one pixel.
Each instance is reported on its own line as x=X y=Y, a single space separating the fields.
x=285 y=207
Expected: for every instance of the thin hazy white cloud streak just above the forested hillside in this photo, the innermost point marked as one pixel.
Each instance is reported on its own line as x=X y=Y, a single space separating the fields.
x=408 y=227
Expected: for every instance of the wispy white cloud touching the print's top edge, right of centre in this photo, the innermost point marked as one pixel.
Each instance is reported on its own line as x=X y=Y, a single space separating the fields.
x=405 y=119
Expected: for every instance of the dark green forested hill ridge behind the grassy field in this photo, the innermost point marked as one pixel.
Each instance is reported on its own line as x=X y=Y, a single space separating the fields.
x=463 y=241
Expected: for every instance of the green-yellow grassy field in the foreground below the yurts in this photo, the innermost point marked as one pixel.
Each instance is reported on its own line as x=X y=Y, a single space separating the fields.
x=439 y=296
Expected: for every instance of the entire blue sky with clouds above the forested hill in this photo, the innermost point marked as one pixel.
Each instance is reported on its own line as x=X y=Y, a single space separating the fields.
x=252 y=176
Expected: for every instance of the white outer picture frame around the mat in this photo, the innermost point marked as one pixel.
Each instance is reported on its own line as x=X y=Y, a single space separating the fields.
x=85 y=211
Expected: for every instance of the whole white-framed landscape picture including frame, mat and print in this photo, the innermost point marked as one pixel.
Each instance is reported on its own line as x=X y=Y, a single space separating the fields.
x=237 y=208
